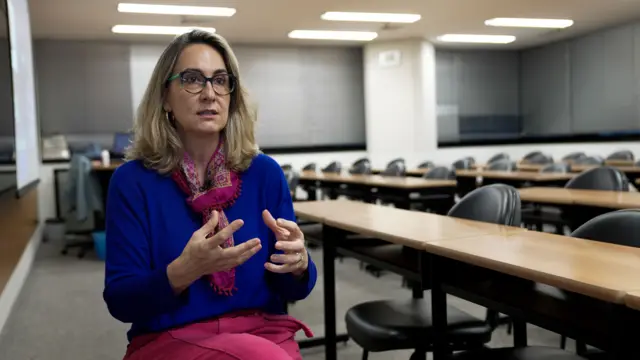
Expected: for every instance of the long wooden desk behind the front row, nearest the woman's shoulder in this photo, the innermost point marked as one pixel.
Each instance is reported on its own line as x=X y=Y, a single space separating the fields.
x=399 y=188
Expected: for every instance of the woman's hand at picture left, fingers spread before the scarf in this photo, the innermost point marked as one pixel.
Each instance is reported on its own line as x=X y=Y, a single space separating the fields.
x=204 y=255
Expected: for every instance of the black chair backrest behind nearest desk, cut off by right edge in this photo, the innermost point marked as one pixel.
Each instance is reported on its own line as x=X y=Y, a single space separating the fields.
x=618 y=227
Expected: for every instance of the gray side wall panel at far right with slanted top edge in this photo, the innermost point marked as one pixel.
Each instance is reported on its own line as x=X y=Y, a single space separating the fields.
x=584 y=85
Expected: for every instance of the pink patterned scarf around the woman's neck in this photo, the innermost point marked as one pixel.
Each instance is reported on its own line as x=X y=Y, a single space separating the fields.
x=221 y=189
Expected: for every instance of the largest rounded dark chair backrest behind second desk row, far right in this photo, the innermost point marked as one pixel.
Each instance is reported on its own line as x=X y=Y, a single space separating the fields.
x=601 y=178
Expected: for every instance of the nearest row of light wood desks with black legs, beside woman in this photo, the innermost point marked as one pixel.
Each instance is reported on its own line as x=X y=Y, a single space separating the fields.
x=495 y=266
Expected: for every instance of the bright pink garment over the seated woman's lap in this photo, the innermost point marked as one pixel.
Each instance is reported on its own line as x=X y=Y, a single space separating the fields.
x=238 y=336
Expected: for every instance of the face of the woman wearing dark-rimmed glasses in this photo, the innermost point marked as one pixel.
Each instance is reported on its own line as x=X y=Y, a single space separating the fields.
x=200 y=106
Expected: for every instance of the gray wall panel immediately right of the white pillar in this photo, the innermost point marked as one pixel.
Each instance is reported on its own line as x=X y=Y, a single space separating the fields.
x=477 y=94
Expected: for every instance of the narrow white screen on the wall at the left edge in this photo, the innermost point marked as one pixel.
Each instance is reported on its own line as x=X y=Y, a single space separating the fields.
x=24 y=95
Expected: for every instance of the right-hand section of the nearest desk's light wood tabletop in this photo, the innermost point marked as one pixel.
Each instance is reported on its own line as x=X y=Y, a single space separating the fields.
x=592 y=268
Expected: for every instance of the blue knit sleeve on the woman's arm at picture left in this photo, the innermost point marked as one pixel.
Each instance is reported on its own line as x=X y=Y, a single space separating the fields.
x=135 y=290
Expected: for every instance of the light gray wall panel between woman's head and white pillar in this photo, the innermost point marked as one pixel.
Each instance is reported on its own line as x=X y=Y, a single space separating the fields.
x=305 y=95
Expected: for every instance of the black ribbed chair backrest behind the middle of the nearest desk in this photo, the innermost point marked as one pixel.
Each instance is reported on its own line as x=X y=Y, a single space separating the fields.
x=497 y=204
